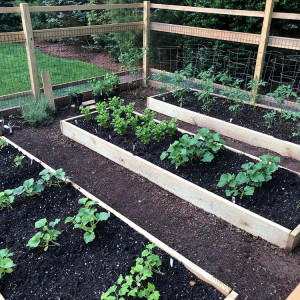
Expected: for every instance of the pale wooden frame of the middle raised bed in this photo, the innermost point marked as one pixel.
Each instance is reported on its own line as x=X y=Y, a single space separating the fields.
x=208 y=201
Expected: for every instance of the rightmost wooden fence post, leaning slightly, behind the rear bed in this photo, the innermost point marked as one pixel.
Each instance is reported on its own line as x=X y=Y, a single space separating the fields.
x=263 y=44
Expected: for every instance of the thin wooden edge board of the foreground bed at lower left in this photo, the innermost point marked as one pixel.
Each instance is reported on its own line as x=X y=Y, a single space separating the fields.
x=200 y=273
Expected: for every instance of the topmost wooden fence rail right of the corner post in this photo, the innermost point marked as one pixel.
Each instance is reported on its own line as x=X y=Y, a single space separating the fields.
x=230 y=12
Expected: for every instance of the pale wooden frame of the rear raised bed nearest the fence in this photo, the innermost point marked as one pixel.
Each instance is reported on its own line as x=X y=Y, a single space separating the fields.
x=239 y=133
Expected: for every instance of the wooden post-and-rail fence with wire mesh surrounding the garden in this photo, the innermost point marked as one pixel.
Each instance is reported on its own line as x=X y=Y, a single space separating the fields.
x=74 y=55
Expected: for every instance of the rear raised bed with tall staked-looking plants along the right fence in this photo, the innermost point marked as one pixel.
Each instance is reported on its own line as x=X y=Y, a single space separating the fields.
x=234 y=112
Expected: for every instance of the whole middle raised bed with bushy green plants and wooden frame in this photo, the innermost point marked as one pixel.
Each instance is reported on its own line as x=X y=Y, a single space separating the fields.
x=250 y=193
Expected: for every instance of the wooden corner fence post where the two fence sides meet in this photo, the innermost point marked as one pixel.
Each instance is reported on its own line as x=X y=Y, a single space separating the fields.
x=146 y=42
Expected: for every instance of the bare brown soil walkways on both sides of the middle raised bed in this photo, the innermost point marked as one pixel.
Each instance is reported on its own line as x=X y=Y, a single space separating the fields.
x=254 y=268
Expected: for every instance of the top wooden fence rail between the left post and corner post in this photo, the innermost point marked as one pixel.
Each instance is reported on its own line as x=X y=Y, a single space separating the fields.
x=83 y=7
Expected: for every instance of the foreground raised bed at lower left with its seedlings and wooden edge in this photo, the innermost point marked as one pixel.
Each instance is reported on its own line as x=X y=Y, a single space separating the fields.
x=109 y=261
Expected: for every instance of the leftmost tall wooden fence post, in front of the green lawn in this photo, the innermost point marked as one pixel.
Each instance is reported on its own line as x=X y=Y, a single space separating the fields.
x=32 y=65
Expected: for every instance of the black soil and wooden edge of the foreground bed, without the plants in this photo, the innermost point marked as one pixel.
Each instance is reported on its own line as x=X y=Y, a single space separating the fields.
x=76 y=270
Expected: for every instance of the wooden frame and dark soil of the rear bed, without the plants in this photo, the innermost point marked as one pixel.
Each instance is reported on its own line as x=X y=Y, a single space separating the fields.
x=249 y=127
